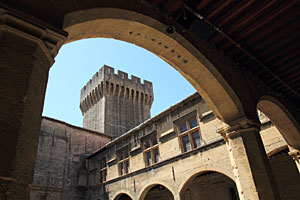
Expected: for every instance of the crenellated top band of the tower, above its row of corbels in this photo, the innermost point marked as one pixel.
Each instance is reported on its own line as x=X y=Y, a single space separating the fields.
x=106 y=73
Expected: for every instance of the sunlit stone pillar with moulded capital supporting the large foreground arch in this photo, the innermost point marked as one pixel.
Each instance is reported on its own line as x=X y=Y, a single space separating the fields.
x=251 y=167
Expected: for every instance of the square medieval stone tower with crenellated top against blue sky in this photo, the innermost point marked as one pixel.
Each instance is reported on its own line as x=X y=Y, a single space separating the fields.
x=113 y=104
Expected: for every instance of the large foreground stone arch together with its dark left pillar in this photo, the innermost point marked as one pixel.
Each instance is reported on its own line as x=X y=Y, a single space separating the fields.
x=36 y=45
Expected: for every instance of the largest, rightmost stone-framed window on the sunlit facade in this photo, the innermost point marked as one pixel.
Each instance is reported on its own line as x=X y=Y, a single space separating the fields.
x=189 y=134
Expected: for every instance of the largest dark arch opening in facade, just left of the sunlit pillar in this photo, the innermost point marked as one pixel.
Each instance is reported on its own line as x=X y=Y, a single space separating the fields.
x=209 y=185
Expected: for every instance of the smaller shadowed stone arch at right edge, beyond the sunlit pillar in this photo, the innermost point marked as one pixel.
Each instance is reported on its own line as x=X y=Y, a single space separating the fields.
x=282 y=119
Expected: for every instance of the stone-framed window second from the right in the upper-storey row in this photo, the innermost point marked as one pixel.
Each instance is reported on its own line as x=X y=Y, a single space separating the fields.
x=150 y=149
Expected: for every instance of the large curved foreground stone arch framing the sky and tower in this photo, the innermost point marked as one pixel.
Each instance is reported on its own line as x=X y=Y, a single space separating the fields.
x=151 y=34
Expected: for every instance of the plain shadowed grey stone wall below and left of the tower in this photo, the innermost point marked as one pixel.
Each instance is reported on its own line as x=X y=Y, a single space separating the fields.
x=60 y=170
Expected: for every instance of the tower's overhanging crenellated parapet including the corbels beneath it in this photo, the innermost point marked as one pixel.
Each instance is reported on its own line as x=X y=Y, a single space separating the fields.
x=105 y=83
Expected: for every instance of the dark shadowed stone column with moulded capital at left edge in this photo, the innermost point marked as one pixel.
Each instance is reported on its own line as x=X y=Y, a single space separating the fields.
x=27 y=51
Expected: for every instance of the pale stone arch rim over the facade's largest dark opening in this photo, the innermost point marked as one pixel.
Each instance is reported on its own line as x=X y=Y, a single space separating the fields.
x=196 y=172
